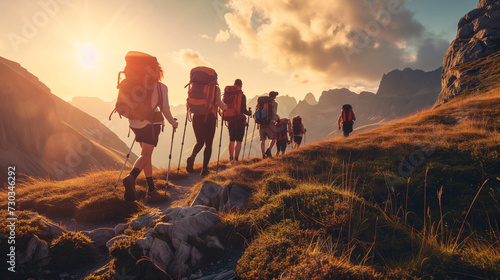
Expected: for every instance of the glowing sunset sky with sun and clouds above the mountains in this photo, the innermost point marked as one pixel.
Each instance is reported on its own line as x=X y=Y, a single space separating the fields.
x=77 y=47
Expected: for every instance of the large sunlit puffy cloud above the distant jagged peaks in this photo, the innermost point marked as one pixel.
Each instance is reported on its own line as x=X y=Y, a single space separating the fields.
x=341 y=41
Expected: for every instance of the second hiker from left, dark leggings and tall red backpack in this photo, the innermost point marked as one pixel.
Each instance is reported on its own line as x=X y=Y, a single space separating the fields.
x=204 y=87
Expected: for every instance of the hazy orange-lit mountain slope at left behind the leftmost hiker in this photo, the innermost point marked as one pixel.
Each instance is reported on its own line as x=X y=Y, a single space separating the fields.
x=44 y=136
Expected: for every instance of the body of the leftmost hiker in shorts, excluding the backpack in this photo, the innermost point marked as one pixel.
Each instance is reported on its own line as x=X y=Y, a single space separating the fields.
x=147 y=132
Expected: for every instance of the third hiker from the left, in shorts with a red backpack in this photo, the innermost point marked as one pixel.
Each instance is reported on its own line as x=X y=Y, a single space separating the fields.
x=236 y=123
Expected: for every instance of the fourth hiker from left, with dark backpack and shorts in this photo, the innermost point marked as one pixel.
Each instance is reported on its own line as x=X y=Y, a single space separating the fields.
x=266 y=116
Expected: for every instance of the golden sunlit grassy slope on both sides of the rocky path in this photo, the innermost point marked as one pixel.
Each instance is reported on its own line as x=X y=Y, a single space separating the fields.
x=416 y=198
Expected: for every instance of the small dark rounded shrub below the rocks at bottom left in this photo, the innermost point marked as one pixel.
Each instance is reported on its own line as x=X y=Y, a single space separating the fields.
x=72 y=250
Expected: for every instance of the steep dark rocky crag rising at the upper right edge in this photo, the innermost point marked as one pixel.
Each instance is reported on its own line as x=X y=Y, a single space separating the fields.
x=478 y=37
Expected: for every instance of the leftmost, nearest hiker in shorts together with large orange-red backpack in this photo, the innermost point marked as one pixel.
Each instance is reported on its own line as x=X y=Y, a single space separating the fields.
x=143 y=99
